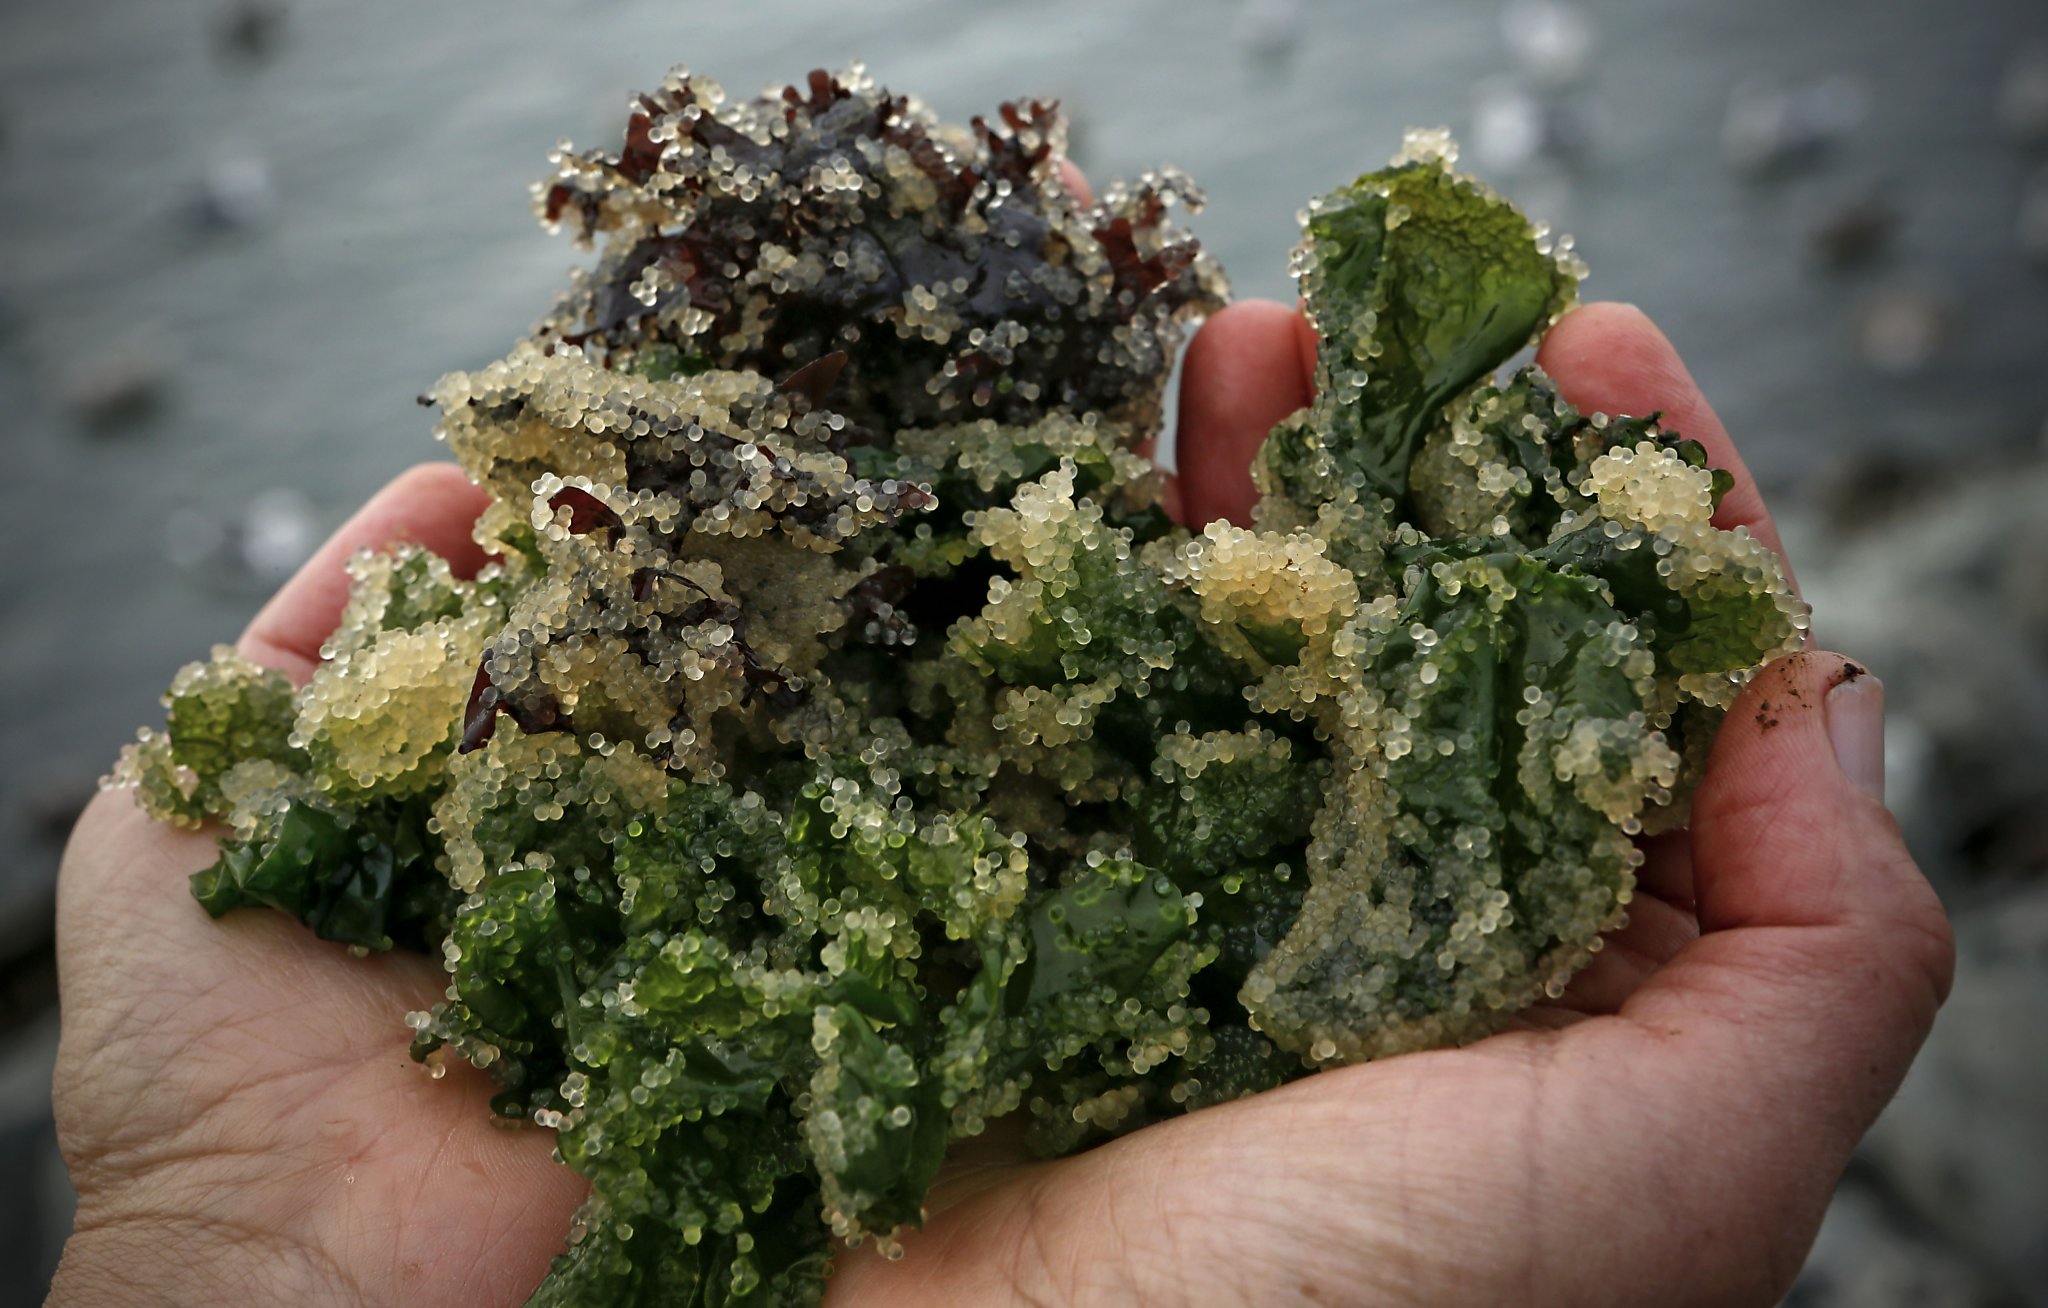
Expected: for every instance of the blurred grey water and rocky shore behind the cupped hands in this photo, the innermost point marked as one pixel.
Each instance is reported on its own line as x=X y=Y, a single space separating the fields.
x=241 y=236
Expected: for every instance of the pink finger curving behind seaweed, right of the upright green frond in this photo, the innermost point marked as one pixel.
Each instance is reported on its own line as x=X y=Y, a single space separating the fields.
x=1613 y=359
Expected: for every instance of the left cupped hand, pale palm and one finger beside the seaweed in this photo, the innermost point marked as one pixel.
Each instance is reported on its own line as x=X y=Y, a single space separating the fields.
x=237 y=1100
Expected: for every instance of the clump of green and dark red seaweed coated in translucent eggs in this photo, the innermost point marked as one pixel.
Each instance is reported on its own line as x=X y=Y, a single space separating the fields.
x=845 y=750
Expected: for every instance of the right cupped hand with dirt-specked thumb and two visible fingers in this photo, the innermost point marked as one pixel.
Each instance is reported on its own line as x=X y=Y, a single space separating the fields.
x=1668 y=1133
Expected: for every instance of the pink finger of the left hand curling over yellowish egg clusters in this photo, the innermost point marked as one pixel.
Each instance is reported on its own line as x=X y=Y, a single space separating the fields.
x=433 y=505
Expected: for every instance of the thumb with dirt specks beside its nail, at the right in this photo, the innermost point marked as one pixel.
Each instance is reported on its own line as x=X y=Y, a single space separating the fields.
x=1824 y=953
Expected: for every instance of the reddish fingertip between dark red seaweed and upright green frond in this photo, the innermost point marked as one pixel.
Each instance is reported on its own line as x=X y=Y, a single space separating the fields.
x=1246 y=369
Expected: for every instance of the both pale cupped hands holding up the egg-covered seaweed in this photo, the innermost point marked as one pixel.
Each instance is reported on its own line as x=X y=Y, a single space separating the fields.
x=243 y=1121
